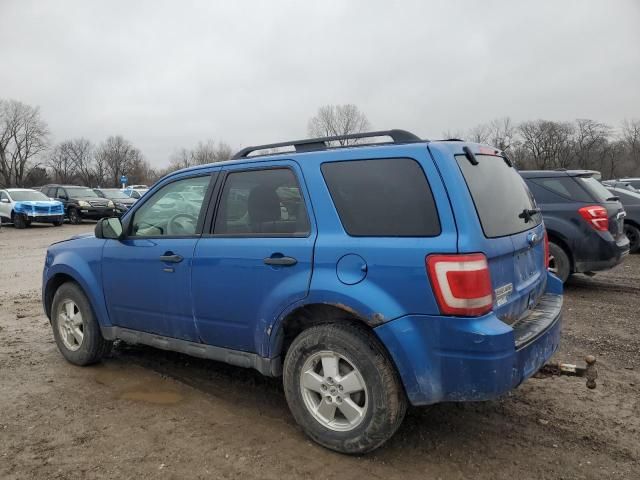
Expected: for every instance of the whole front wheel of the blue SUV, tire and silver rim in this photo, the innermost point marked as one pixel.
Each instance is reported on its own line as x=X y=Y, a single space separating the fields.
x=75 y=328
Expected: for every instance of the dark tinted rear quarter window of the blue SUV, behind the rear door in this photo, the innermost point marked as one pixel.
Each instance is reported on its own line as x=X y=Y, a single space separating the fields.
x=382 y=198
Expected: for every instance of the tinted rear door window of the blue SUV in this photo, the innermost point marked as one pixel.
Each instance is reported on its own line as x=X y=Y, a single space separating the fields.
x=262 y=202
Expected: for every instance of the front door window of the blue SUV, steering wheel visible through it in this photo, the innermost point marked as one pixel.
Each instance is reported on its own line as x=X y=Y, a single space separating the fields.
x=172 y=211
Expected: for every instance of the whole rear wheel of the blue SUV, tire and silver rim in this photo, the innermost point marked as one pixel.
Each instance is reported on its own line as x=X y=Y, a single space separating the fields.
x=342 y=389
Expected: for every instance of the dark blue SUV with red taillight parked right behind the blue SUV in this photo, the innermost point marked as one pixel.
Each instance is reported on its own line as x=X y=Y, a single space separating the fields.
x=584 y=220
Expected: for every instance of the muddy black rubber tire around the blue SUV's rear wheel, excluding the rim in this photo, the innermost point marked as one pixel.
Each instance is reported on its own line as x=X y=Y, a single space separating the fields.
x=386 y=402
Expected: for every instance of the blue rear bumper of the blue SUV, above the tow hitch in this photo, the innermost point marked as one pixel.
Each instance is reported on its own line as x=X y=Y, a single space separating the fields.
x=469 y=359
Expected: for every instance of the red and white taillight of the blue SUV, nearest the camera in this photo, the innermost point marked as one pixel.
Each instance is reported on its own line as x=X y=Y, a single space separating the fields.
x=461 y=283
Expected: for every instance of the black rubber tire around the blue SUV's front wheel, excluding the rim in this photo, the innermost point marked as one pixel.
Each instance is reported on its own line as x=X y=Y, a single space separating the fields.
x=93 y=345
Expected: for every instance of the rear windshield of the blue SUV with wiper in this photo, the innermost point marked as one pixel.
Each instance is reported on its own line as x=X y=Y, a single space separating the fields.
x=502 y=199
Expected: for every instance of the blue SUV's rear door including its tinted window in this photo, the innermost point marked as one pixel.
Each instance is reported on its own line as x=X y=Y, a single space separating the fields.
x=257 y=258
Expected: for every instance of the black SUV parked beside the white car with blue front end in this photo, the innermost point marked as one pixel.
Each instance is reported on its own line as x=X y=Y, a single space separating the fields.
x=80 y=202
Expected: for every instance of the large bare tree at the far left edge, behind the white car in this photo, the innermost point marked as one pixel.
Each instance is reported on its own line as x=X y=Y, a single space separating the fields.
x=23 y=136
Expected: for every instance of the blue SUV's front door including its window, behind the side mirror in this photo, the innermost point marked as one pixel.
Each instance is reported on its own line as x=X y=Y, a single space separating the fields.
x=147 y=275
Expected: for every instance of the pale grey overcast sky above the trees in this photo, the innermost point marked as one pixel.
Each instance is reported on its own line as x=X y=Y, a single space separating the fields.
x=168 y=74
